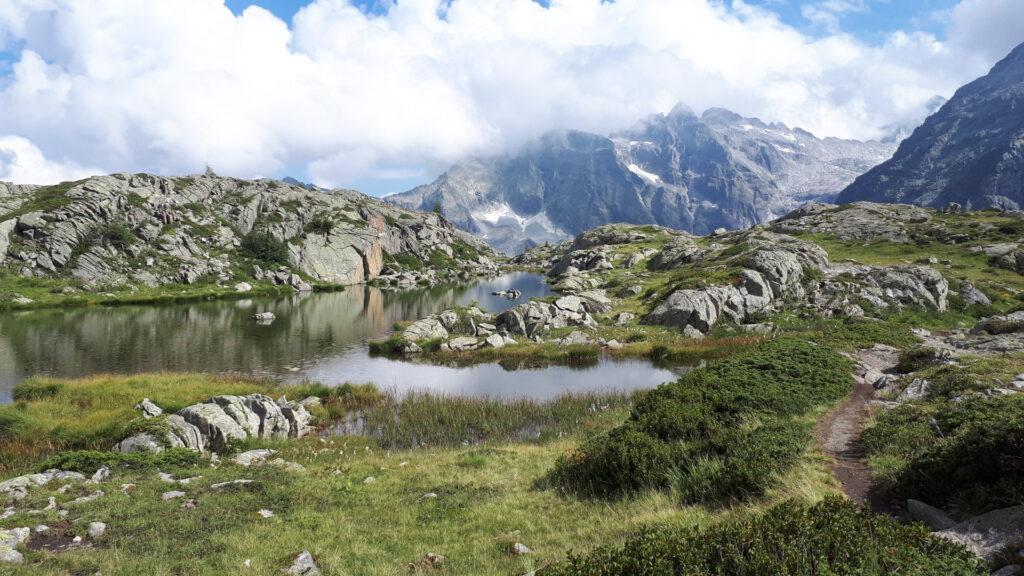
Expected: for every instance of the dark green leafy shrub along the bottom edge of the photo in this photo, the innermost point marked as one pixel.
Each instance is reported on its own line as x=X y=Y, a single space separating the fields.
x=834 y=538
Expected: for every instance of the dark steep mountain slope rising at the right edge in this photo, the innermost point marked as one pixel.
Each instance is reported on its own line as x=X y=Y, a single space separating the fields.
x=970 y=152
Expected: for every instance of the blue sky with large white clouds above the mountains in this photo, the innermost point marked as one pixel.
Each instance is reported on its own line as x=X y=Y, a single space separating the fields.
x=381 y=96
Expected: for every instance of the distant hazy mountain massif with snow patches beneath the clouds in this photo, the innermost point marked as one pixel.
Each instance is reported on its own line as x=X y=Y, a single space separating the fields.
x=689 y=173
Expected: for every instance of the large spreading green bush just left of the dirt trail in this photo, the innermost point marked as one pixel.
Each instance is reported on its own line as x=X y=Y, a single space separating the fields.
x=718 y=434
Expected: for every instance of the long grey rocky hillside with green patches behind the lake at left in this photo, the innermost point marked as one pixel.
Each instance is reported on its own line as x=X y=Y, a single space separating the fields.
x=145 y=230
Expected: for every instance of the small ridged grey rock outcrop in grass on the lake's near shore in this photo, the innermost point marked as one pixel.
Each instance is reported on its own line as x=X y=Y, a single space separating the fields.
x=215 y=424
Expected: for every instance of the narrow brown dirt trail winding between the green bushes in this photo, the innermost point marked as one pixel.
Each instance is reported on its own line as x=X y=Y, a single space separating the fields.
x=839 y=436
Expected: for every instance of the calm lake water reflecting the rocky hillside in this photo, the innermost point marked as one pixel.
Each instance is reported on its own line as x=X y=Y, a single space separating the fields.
x=319 y=337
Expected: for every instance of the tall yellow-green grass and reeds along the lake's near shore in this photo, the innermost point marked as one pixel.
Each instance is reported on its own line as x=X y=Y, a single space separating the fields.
x=50 y=416
